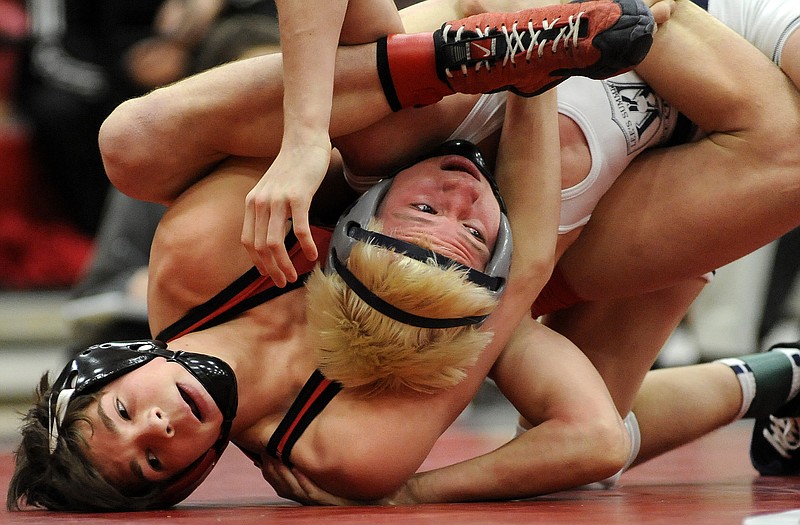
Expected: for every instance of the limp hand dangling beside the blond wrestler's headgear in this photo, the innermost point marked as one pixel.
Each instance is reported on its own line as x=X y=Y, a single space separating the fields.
x=281 y=200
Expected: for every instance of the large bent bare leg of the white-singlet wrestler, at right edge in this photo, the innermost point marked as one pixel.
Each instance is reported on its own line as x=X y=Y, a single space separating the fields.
x=684 y=211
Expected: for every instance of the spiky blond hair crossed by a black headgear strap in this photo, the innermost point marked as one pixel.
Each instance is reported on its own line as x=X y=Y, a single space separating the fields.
x=360 y=347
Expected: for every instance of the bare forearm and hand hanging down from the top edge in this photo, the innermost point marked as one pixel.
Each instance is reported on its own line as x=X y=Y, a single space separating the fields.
x=309 y=40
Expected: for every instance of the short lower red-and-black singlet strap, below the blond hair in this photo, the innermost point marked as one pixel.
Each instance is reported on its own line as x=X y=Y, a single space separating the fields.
x=312 y=399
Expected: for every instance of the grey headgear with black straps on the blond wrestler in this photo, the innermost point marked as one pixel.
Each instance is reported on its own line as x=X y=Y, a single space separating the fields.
x=351 y=228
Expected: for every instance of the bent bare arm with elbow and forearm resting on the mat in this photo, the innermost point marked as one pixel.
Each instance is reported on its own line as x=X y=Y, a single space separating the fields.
x=577 y=436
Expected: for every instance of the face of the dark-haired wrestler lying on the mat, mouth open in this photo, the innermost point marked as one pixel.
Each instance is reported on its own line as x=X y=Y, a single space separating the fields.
x=150 y=424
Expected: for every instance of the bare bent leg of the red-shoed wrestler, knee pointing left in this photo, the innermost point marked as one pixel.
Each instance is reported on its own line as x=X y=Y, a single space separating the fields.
x=155 y=146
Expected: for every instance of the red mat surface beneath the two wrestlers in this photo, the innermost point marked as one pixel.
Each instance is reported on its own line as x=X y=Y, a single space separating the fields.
x=710 y=482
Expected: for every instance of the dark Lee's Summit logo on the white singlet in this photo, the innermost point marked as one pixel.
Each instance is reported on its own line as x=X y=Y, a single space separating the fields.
x=642 y=116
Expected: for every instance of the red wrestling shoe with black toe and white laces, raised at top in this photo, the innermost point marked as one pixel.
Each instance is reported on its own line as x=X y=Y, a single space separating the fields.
x=531 y=51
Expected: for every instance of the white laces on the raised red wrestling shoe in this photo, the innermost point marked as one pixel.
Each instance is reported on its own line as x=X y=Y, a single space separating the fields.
x=515 y=40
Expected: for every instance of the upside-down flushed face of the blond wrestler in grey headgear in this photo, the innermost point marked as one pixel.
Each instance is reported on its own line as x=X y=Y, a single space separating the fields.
x=448 y=204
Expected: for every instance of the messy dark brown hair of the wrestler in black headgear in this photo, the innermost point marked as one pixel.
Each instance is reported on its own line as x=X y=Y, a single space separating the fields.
x=65 y=479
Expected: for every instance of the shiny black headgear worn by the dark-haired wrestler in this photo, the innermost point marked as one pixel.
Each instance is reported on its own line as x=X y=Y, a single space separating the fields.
x=102 y=363
